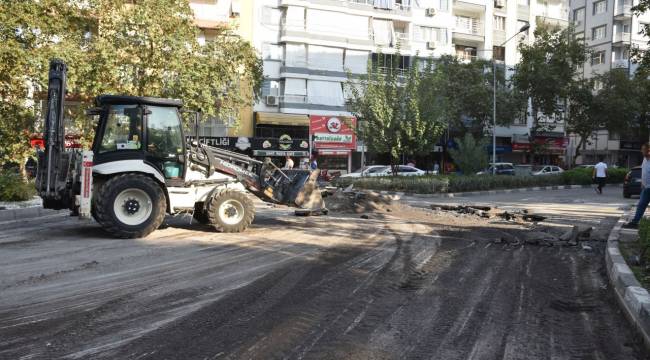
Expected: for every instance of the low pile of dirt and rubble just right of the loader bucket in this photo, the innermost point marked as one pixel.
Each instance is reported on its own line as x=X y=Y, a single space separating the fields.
x=349 y=201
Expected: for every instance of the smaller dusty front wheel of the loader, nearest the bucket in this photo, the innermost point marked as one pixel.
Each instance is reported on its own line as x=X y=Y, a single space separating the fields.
x=230 y=211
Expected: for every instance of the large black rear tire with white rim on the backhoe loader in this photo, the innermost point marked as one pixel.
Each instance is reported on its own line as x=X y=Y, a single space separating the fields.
x=130 y=206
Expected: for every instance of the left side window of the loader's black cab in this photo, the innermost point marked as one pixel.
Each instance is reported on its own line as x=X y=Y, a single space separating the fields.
x=123 y=129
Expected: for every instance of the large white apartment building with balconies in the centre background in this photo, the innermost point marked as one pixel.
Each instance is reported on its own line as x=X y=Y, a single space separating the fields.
x=309 y=45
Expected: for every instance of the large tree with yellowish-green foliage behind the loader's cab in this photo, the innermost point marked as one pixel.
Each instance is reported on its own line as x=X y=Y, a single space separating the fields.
x=149 y=48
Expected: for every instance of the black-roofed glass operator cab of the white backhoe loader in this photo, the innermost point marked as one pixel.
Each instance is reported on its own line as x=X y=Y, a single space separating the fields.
x=142 y=129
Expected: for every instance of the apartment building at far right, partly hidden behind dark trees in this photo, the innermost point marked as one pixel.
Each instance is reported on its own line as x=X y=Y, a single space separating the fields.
x=610 y=30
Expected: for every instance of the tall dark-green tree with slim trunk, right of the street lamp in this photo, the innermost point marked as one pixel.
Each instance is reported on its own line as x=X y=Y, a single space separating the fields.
x=546 y=74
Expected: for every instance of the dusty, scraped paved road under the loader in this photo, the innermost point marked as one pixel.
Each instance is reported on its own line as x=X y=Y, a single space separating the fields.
x=406 y=284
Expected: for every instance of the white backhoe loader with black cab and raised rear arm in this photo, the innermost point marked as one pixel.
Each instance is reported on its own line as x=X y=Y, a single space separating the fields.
x=141 y=168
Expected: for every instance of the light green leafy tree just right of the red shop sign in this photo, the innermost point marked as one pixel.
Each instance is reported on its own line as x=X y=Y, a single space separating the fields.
x=394 y=118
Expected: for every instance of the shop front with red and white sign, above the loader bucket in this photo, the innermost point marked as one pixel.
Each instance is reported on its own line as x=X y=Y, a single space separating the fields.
x=334 y=140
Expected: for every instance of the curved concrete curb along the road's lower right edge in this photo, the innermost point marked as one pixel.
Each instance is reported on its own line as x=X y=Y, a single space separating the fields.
x=633 y=299
